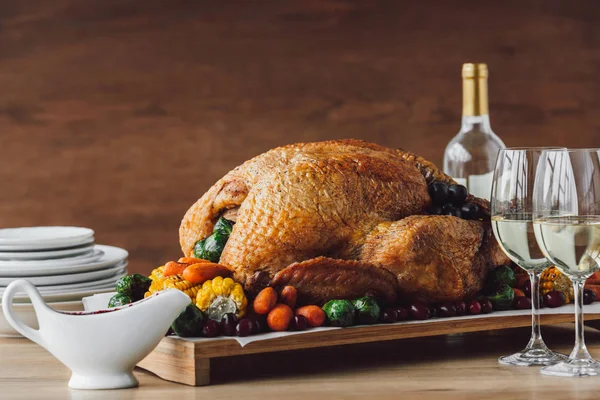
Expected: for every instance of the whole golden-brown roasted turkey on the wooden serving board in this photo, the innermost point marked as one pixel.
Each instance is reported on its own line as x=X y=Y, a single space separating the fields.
x=340 y=219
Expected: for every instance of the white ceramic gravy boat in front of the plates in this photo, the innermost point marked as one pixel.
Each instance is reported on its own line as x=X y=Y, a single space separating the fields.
x=101 y=348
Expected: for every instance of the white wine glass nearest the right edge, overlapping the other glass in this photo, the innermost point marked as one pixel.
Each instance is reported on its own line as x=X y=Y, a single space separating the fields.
x=567 y=228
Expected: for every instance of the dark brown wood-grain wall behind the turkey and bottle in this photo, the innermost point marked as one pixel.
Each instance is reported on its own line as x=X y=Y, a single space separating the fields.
x=118 y=114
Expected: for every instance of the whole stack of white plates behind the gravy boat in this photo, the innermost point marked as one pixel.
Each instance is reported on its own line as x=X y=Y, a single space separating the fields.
x=62 y=261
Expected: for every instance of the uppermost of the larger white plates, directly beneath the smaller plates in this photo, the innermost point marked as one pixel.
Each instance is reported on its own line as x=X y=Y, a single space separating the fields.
x=112 y=256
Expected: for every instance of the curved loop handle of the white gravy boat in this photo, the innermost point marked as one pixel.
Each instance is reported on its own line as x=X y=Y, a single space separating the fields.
x=36 y=300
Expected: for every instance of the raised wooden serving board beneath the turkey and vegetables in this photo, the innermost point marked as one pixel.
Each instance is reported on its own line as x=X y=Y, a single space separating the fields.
x=188 y=362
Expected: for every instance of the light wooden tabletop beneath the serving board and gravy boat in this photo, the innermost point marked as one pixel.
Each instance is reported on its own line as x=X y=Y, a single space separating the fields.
x=459 y=366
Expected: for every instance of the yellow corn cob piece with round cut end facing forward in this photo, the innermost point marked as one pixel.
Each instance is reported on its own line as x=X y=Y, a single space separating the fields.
x=219 y=296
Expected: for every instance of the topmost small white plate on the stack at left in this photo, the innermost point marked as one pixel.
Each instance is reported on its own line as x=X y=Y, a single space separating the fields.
x=43 y=237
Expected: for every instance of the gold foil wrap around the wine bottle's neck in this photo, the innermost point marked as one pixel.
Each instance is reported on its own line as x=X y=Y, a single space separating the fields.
x=475 y=95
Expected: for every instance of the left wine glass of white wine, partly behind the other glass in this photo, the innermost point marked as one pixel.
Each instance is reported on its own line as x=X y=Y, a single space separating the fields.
x=512 y=223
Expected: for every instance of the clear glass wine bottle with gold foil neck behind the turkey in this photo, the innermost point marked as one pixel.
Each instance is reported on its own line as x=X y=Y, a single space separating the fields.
x=471 y=155
